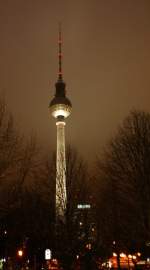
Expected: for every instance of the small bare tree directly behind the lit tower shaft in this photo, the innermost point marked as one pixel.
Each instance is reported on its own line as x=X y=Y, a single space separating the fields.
x=77 y=192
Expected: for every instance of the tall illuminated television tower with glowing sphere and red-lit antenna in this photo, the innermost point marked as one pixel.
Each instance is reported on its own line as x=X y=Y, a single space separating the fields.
x=60 y=108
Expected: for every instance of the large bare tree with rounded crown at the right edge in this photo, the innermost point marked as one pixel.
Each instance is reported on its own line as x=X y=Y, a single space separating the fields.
x=124 y=181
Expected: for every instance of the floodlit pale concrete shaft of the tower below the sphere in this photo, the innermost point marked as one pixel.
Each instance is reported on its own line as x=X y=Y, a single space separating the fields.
x=61 y=196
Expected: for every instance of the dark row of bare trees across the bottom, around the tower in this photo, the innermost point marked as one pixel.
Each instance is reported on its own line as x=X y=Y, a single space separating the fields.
x=119 y=191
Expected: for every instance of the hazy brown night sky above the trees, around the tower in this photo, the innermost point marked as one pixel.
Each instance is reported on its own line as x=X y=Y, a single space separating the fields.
x=106 y=65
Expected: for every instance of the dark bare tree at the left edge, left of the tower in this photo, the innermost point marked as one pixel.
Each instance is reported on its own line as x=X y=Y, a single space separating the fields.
x=19 y=160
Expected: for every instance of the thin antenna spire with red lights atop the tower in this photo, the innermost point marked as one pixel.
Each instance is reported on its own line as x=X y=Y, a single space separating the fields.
x=60 y=53
